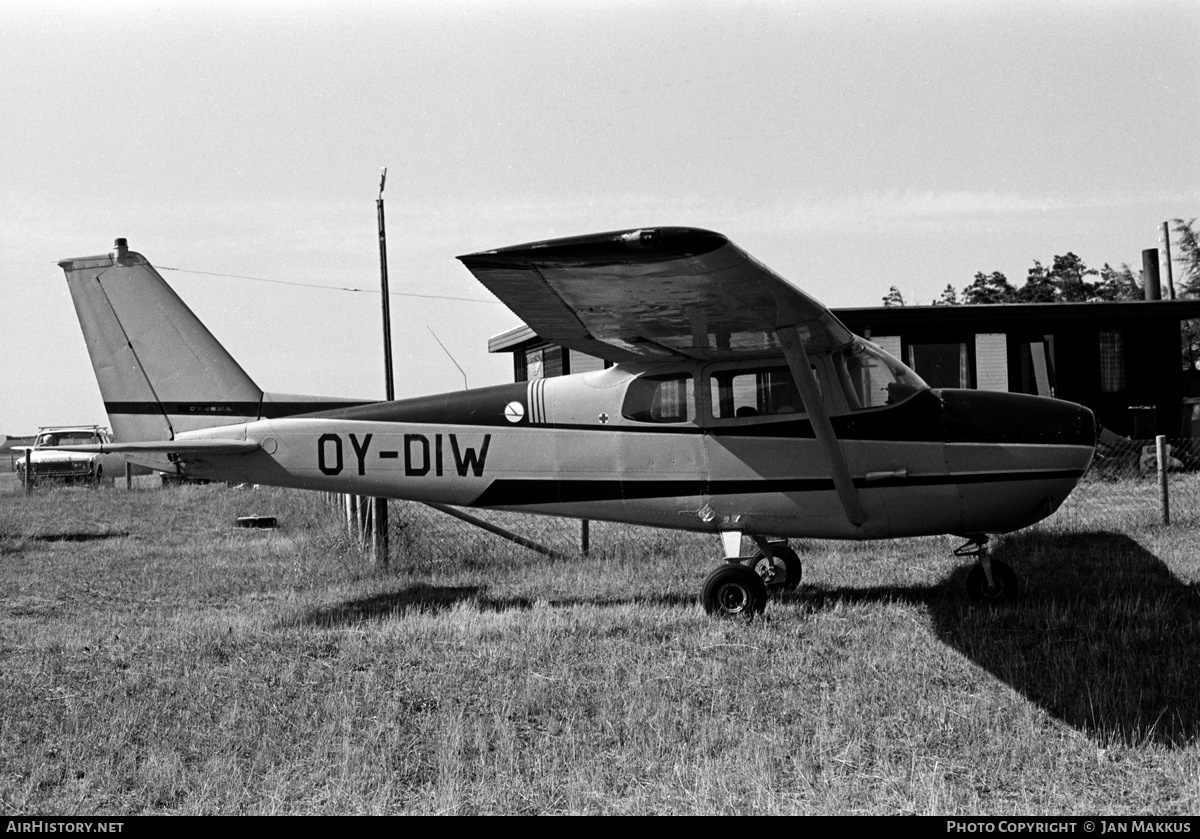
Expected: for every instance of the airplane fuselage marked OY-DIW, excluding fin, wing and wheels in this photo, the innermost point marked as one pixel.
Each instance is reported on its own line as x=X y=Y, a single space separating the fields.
x=939 y=462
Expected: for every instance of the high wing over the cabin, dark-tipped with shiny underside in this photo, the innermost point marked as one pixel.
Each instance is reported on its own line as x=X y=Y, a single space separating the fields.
x=652 y=295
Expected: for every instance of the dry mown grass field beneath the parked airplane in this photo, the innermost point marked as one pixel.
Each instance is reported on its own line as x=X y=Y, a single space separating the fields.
x=157 y=660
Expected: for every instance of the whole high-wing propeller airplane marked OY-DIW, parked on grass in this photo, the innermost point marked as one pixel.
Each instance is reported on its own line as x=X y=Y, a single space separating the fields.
x=737 y=406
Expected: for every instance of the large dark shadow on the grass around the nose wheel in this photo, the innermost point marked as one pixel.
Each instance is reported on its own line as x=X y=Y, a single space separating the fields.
x=1105 y=638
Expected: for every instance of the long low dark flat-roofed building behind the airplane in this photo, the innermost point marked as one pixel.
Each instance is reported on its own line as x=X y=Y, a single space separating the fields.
x=1133 y=364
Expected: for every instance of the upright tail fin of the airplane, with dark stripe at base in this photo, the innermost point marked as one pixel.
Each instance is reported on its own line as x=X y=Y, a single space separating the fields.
x=160 y=370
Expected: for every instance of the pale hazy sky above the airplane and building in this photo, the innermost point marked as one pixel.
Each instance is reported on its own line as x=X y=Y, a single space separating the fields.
x=849 y=146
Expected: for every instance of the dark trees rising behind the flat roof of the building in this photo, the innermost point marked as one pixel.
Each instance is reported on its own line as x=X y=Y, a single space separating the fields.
x=1069 y=280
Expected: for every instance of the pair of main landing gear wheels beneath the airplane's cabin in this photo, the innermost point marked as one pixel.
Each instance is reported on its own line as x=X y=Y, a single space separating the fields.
x=740 y=588
